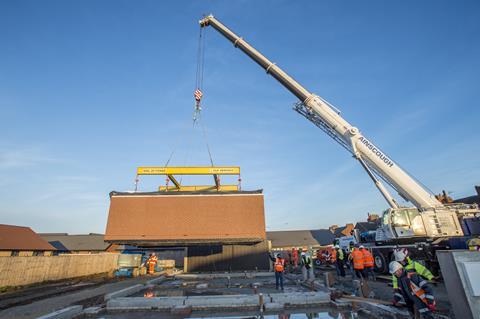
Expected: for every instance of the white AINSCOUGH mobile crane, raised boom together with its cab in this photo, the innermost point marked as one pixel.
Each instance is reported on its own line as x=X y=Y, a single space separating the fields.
x=428 y=221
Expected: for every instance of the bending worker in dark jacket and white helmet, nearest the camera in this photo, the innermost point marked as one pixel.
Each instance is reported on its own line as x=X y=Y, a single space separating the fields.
x=413 y=290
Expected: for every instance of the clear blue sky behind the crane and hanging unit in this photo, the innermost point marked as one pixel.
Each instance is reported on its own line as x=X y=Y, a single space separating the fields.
x=89 y=90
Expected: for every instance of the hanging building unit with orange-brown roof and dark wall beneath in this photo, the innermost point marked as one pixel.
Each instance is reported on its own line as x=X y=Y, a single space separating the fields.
x=221 y=230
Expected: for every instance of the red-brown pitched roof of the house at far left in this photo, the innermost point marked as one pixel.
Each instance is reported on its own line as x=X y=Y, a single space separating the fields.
x=21 y=238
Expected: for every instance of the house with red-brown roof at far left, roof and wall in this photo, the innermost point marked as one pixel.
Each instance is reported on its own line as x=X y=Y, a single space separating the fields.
x=22 y=241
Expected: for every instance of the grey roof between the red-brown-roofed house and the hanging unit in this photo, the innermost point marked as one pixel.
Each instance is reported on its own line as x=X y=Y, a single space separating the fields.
x=65 y=242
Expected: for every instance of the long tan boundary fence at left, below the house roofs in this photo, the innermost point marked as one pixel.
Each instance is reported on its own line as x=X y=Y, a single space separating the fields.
x=18 y=271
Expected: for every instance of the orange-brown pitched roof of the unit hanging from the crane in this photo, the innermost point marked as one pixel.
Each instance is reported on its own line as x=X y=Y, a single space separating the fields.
x=185 y=217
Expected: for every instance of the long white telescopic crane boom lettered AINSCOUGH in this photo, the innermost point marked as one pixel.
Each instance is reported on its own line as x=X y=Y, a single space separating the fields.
x=315 y=108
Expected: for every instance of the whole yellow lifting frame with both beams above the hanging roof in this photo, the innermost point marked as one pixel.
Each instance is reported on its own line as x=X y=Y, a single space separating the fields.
x=170 y=171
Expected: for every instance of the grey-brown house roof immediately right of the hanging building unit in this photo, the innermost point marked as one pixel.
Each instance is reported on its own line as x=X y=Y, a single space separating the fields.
x=292 y=238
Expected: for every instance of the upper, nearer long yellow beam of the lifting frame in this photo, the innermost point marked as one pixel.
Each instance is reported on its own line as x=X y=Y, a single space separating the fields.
x=190 y=170
